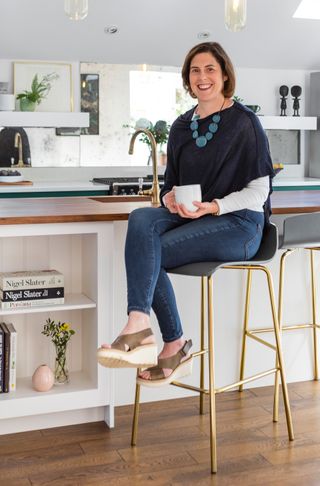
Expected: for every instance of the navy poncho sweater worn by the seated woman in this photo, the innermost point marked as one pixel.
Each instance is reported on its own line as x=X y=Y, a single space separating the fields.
x=237 y=154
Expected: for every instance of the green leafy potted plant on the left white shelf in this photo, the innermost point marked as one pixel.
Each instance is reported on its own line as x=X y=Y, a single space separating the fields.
x=39 y=91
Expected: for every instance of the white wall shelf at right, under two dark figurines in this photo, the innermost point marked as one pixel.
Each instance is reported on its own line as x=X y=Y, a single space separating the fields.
x=289 y=122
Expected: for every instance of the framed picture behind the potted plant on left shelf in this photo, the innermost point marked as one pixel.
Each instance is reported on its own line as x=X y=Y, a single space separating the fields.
x=60 y=95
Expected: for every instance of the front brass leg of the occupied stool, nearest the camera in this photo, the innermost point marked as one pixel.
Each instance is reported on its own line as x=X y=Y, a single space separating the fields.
x=213 y=433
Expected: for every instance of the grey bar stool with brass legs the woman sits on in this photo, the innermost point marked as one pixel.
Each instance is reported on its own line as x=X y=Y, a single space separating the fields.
x=205 y=270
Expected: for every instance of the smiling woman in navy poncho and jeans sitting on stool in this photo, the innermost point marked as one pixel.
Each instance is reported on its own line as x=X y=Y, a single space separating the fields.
x=221 y=145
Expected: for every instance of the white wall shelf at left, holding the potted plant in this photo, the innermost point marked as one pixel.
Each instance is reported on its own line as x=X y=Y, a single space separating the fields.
x=43 y=119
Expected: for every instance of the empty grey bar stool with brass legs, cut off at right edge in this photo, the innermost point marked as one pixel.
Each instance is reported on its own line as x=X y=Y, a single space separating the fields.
x=299 y=232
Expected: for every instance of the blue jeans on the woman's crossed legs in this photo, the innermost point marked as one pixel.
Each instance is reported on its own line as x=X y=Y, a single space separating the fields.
x=158 y=240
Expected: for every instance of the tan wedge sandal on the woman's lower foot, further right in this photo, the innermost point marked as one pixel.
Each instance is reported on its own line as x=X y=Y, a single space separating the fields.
x=180 y=367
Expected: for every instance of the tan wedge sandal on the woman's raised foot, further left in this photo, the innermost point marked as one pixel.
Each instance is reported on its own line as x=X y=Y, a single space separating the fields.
x=128 y=352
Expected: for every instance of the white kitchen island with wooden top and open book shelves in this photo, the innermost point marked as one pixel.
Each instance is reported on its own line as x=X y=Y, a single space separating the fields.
x=84 y=239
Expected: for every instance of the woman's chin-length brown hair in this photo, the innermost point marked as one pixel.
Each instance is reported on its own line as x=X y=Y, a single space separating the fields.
x=222 y=58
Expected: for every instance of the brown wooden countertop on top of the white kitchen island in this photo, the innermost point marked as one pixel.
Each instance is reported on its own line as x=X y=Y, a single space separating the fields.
x=80 y=209
